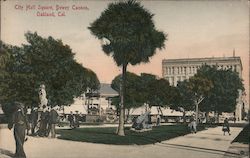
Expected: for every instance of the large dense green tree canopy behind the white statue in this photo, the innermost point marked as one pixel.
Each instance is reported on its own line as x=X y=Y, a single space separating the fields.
x=44 y=61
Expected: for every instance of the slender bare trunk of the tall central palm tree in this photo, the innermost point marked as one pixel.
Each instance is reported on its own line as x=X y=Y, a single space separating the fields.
x=120 y=131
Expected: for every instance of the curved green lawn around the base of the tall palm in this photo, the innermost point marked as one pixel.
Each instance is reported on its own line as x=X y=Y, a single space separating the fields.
x=107 y=135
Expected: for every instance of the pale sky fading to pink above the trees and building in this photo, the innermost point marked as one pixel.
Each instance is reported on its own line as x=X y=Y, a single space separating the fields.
x=195 y=29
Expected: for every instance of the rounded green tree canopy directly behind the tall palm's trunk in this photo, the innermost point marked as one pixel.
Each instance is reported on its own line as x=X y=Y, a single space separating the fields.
x=144 y=89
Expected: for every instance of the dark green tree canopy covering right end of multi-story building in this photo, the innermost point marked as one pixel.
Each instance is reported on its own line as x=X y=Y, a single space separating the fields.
x=224 y=94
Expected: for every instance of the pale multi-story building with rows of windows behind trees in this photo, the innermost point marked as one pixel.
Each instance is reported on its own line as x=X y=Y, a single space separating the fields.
x=175 y=70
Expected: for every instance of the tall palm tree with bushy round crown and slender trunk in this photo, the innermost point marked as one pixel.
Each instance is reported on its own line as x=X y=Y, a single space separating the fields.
x=129 y=36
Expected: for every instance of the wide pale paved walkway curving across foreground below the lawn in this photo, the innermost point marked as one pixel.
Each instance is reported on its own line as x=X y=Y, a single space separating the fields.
x=205 y=144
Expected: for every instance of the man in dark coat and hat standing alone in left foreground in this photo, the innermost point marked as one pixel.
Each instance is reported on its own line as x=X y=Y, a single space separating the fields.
x=20 y=123
